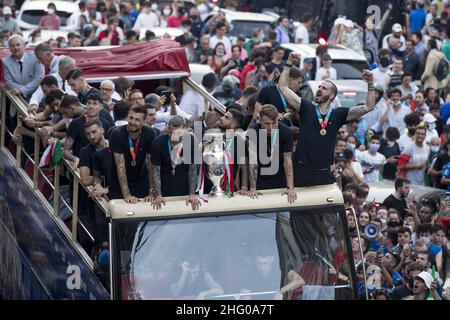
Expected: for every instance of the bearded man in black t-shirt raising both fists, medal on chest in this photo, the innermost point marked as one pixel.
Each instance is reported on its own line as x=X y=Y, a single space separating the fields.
x=319 y=126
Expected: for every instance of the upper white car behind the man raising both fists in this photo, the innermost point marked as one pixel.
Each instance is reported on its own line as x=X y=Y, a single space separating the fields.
x=348 y=63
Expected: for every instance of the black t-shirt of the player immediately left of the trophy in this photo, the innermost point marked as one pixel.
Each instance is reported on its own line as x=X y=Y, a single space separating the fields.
x=171 y=184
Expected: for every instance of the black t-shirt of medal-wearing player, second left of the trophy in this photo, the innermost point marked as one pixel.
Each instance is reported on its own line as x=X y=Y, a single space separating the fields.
x=137 y=176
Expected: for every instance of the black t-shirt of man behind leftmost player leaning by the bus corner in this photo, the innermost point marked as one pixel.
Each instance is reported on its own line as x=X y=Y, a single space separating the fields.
x=76 y=130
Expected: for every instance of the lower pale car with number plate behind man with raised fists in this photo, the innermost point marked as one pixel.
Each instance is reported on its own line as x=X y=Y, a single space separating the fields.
x=350 y=92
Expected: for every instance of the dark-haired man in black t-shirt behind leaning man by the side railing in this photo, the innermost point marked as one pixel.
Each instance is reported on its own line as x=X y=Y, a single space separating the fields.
x=75 y=137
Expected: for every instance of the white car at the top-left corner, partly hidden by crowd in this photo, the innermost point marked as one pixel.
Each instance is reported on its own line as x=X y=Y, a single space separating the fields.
x=32 y=11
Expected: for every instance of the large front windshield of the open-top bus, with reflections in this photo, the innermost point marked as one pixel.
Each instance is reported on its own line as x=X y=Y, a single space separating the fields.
x=298 y=255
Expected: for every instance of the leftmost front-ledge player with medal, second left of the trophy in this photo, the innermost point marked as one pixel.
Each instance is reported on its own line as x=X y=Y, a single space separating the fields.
x=131 y=146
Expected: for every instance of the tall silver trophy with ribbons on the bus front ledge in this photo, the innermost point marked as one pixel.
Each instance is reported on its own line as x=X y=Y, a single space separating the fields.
x=213 y=158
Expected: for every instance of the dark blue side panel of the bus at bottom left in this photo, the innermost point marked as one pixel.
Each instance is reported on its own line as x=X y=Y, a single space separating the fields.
x=37 y=261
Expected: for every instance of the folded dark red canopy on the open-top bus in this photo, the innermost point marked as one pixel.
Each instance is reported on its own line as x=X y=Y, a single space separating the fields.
x=149 y=58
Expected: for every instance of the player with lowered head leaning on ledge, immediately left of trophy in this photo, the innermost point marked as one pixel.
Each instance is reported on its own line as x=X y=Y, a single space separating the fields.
x=173 y=174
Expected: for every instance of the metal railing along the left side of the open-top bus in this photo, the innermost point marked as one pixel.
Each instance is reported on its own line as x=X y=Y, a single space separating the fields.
x=38 y=173
